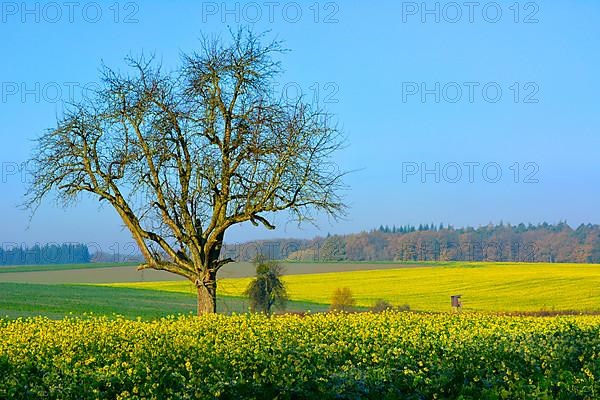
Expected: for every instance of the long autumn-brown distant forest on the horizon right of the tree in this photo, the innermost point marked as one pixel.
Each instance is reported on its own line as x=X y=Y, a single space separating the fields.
x=504 y=242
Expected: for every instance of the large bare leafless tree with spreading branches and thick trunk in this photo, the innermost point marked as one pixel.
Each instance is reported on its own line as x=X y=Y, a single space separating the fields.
x=183 y=156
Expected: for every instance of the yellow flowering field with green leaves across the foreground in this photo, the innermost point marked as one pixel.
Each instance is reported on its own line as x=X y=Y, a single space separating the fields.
x=388 y=355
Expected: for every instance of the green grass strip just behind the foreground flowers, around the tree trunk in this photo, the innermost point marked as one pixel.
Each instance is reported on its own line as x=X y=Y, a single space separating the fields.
x=56 y=301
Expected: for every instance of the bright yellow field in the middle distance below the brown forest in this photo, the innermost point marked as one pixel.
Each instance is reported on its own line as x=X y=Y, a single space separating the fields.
x=484 y=286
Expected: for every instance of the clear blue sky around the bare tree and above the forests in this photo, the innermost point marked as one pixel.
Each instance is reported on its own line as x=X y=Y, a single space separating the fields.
x=454 y=113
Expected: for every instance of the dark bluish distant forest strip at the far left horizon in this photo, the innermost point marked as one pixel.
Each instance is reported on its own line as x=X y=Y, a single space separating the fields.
x=46 y=254
